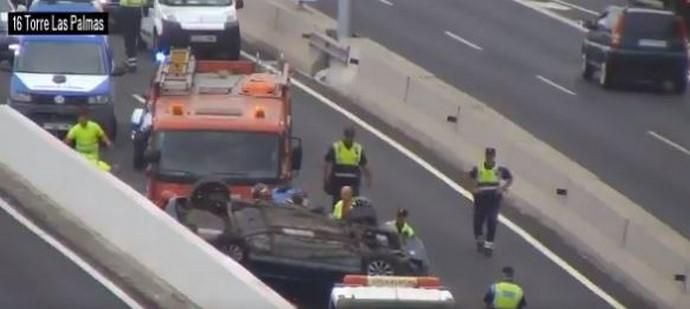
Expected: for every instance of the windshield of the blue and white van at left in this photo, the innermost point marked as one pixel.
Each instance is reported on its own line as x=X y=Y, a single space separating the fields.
x=61 y=58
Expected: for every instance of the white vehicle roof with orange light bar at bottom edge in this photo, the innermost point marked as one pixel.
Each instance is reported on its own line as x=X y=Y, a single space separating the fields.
x=382 y=292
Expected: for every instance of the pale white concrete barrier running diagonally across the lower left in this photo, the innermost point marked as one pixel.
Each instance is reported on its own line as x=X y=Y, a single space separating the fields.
x=127 y=221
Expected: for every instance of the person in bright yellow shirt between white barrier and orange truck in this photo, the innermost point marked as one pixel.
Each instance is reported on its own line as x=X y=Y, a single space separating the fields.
x=86 y=136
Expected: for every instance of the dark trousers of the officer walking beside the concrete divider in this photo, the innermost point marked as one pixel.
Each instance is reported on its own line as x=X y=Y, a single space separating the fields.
x=486 y=209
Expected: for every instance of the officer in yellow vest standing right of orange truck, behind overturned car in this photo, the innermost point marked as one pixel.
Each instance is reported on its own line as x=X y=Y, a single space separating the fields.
x=345 y=161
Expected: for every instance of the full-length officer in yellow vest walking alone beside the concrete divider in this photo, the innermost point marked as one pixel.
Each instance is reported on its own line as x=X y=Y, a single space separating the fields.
x=488 y=191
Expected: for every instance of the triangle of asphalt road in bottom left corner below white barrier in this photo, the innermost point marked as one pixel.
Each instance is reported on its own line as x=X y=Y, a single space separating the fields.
x=35 y=275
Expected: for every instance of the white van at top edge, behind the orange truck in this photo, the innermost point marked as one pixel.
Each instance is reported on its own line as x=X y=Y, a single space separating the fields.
x=206 y=25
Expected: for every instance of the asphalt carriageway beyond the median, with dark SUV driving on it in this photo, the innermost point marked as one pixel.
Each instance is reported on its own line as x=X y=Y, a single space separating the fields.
x=618 y=135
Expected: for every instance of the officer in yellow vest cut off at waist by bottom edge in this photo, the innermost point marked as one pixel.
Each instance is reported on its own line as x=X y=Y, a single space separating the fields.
x=505 y=294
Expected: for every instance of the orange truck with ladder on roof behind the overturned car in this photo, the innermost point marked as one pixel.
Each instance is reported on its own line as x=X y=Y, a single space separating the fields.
x=210 y=118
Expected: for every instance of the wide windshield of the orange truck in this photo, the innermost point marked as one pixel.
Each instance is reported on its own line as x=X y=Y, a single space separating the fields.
x=232 y=155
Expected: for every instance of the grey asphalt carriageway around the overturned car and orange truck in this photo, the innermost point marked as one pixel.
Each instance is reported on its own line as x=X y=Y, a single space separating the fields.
x=439 y=214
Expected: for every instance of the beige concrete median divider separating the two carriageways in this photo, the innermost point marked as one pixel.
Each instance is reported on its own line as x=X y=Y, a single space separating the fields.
x=629 y=243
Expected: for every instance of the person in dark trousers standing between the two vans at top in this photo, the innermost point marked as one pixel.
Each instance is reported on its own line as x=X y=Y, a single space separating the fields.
x=129 y=17
